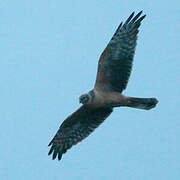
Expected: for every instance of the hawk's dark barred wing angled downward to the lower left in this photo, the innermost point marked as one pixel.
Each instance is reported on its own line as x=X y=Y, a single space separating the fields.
x=77 y=127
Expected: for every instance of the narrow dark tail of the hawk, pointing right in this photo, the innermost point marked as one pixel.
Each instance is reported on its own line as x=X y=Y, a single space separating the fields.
x=142 y=103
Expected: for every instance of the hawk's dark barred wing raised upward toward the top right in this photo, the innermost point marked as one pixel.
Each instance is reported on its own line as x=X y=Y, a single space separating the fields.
x=115 y=63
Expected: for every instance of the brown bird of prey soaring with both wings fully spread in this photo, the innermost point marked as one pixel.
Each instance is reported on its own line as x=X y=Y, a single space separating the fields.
x=114 y=69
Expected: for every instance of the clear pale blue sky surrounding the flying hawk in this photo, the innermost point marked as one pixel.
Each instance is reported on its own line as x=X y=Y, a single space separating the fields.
x=49 y=56
